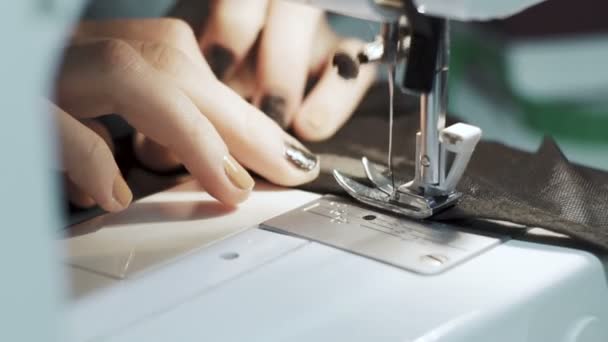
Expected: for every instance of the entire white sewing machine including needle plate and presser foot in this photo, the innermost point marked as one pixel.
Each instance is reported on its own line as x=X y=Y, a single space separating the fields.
x=294 y=266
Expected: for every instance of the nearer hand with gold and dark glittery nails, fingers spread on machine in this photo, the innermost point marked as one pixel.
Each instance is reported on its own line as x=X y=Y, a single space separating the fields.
x=153 y=74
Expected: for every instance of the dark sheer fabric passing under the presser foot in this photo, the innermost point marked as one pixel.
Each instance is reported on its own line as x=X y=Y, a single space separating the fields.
x=536 y=190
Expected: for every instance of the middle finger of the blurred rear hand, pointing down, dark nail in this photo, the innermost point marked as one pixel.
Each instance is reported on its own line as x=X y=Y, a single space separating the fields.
x=284 y=58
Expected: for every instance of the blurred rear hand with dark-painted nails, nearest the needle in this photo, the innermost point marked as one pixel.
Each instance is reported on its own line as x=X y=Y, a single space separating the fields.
x=267 y=50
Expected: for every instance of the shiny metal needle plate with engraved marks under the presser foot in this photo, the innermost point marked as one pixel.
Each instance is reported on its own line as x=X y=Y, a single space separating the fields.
x=417 y=246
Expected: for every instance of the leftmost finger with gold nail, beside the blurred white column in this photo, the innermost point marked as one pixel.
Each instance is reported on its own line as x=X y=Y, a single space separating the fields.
x=89 y=164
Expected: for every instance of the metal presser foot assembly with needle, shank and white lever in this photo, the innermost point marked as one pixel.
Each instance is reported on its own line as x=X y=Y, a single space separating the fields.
x=442 y=154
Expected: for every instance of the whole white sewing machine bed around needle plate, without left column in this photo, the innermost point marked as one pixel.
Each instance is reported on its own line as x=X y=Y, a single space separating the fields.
x=219 y=278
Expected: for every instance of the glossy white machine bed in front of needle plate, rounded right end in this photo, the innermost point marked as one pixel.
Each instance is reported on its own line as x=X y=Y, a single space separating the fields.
x=317 y=293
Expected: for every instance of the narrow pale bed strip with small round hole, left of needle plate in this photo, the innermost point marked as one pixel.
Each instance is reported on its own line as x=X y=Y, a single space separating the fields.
x=126 y=303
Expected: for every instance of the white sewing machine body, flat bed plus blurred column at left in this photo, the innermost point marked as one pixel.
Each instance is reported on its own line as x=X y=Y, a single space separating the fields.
x=166 y=269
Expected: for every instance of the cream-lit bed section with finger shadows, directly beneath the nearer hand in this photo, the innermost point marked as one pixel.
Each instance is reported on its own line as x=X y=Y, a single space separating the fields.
x=166 y=225
